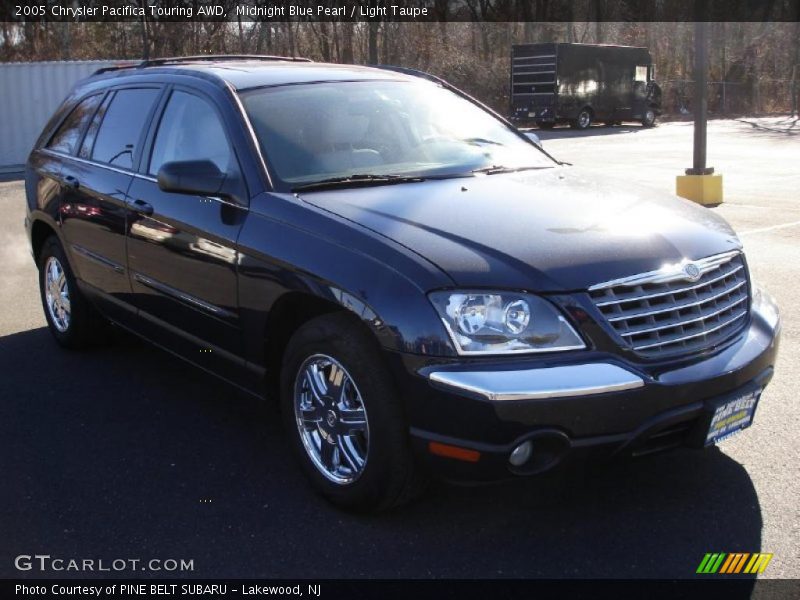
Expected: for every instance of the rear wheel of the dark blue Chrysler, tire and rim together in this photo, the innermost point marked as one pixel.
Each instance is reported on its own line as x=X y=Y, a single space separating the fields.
x=71 y=318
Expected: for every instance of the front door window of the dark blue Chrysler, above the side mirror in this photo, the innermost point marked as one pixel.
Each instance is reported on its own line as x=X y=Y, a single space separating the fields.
x=190 y=129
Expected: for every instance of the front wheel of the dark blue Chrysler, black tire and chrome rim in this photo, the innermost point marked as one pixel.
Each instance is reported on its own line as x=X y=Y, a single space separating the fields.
x=343 y=418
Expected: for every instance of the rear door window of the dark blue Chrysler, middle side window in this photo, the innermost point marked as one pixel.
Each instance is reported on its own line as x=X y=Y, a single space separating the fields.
x=122 y=127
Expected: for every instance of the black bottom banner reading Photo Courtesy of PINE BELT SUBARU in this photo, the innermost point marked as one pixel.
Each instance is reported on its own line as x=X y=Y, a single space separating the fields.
x=728 y=588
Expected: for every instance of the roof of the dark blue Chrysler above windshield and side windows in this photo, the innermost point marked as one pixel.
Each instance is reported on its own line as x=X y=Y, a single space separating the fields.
x=246 y=72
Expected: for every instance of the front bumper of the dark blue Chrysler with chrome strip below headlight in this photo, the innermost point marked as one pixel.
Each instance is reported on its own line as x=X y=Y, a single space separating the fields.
x=591 y=403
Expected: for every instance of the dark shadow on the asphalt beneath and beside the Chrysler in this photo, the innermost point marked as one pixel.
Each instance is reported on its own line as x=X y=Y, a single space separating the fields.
x=126 y=451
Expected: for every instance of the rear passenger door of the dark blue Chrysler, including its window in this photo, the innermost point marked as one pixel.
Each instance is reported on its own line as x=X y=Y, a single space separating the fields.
x=95 y=176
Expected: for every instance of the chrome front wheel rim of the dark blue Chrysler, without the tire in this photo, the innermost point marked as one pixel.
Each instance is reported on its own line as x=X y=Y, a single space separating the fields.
x=331 y=419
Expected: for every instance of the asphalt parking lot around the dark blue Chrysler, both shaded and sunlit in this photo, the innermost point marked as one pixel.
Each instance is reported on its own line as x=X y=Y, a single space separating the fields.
x=128 y=453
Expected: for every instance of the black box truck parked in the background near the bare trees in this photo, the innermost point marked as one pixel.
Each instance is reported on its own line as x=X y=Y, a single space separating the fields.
x=583 y=83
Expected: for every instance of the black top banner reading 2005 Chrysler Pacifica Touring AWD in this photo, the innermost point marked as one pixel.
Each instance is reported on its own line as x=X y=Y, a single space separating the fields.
x=401 y=10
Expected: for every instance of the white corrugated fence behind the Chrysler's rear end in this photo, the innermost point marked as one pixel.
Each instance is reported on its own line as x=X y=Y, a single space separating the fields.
x=29 y=94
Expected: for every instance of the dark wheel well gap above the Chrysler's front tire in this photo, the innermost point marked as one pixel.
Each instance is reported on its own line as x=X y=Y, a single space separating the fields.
x=288 y=314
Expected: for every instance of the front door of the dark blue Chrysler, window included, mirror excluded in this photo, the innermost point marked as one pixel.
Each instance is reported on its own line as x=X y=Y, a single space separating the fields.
x=182 y=248
